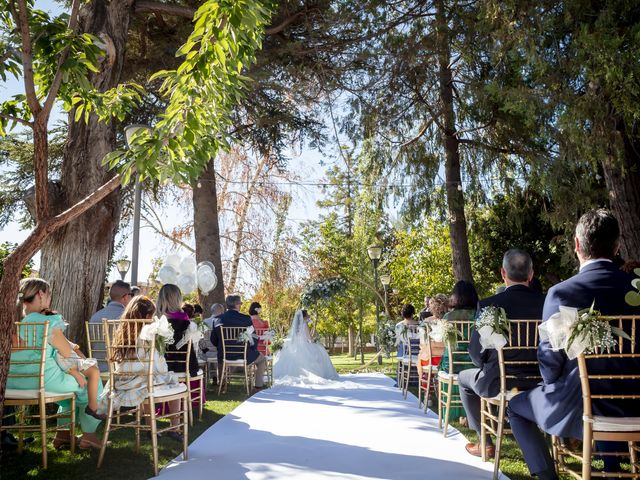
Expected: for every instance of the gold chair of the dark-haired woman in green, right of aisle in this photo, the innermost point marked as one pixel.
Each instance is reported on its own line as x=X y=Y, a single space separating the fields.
x=459 y=359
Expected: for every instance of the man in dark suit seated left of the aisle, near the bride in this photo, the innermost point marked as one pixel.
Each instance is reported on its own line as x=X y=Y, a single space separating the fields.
x=233 y=318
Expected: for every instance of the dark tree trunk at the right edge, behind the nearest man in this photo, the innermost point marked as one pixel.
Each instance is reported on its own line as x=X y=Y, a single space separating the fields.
x=623 y=183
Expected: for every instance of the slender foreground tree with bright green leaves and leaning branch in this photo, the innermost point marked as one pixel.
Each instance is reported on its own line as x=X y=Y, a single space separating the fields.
x=201 y=95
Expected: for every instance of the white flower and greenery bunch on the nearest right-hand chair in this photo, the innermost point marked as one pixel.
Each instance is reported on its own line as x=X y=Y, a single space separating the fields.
x=579 y=331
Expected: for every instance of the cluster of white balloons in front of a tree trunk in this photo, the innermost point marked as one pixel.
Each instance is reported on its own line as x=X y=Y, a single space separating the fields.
x=187 y=274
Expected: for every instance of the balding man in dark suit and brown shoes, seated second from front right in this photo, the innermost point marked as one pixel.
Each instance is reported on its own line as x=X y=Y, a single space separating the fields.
x=519 y=303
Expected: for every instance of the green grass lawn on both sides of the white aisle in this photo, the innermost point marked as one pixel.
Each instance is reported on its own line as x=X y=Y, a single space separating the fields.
x=121 y=460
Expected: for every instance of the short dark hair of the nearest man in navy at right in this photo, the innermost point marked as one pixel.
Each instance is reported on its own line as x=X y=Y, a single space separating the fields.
x=598 y=233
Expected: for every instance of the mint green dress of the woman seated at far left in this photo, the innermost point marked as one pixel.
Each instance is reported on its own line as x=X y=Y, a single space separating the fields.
x=55 y=379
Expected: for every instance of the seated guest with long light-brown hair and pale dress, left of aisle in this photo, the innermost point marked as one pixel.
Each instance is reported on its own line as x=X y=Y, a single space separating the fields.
x=132 y=391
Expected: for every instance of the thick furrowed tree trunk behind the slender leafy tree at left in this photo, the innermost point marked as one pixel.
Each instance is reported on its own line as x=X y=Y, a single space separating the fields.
x=74 y=260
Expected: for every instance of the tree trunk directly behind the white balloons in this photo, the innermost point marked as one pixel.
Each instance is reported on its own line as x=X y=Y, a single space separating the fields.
x=207 y=232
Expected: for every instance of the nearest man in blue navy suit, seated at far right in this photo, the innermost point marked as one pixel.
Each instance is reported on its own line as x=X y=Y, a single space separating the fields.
x=556 y=405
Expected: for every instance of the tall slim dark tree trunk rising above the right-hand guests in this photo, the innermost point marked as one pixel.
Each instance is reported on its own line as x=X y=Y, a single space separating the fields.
x=455 y=196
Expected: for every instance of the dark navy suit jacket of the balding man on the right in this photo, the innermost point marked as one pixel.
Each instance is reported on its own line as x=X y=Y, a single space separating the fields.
x=519 y=303
